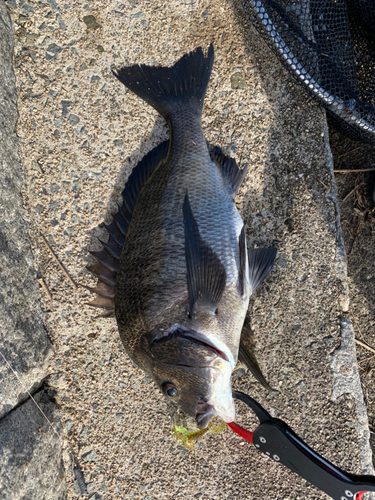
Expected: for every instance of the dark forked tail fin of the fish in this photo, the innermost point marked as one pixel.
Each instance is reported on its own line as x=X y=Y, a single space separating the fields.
x=164 y=88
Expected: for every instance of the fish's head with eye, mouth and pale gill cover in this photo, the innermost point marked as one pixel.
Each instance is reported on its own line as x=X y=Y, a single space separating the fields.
x=192 y=373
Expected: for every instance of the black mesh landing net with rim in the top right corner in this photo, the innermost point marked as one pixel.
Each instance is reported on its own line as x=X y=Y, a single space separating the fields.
x=329 y=46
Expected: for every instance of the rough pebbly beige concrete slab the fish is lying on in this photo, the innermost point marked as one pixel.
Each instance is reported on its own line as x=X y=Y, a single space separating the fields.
x=81 y=134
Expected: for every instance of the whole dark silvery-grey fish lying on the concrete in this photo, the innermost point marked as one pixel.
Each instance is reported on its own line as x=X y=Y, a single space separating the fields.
x=176 y=272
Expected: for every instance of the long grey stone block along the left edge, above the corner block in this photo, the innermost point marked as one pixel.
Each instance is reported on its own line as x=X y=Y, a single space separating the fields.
x=20 y=312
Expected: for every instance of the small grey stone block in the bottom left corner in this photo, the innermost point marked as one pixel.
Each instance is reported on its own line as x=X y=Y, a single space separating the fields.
x=31 y=453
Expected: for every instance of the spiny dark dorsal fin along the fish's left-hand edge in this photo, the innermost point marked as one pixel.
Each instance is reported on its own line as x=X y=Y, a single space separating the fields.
x=108 y=259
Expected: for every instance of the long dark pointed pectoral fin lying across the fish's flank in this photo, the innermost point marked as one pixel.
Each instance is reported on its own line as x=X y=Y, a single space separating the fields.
x=206 y=276
